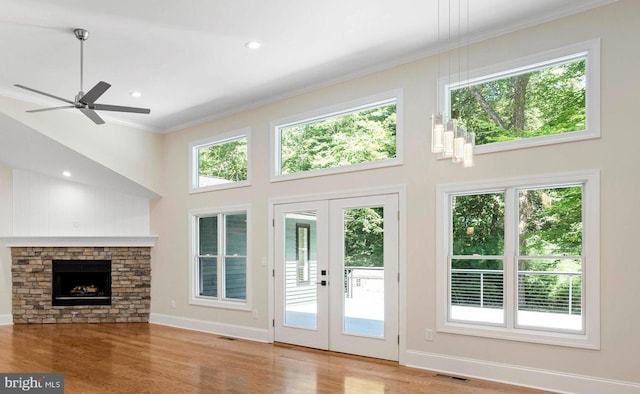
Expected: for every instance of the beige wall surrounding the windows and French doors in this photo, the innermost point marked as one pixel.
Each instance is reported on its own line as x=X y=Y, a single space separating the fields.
x=614 y=154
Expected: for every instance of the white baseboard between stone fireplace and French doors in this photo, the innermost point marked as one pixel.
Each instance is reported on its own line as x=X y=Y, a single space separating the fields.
x=253 y=334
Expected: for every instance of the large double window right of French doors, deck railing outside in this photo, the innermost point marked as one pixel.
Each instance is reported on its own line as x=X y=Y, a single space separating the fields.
x=519 y=259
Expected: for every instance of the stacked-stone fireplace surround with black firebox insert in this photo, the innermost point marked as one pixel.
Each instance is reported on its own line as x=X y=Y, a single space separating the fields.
x=44 y=294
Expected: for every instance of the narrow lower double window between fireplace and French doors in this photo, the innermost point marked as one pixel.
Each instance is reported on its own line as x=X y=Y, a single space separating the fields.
x=220 y=255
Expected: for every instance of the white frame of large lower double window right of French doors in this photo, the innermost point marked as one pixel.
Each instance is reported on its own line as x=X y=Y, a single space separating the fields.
x=590 y=338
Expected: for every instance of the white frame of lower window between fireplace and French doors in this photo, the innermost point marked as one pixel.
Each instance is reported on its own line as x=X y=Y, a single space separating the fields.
x=218 y=302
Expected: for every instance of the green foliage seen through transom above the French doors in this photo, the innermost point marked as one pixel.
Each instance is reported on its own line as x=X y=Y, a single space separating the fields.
x=358 y=137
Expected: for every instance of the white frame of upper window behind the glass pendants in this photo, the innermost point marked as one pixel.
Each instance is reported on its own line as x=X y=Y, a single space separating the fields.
x=588 y=50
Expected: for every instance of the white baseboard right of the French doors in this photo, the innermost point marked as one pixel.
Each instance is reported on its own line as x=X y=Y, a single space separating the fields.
x=517 y=375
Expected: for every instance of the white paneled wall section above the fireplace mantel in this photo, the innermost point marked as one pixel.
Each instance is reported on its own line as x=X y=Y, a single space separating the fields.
x=47 y=206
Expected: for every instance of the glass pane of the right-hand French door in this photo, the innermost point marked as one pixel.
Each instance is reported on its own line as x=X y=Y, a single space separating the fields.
x=363 y=271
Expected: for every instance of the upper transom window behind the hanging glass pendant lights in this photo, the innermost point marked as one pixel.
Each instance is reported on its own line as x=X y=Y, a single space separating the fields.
x=544 y=99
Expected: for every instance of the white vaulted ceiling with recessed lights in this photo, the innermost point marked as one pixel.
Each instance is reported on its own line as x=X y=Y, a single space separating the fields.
x=189 y=60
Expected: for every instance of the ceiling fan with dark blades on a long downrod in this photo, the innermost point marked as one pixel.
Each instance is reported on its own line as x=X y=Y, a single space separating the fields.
x=86 y=102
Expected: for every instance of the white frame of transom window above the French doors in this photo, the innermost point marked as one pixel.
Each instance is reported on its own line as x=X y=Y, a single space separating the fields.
x=328 y=112
